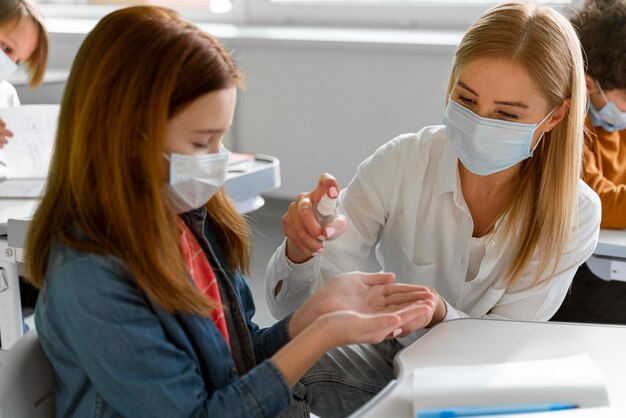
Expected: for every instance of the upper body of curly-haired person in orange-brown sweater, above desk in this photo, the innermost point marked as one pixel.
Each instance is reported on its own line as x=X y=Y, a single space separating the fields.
x=601 y=26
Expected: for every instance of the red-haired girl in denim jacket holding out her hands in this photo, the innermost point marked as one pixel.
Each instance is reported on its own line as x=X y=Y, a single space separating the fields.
x=139 y=254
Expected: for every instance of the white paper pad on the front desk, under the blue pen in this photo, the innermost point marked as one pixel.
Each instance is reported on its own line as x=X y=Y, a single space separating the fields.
x=571 y=380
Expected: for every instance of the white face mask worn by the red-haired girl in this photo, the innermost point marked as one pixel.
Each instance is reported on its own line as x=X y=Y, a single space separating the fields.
x=194 y=179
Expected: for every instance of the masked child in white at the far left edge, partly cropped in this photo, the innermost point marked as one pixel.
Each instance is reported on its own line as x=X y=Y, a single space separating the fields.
x=23 y=38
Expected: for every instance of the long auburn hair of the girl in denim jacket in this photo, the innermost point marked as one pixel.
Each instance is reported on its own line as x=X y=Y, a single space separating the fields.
x=135 y=70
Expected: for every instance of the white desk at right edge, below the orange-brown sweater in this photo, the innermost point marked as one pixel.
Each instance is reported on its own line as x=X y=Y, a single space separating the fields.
x=609 y=258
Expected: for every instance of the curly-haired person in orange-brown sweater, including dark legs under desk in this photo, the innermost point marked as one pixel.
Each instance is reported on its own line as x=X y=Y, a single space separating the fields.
x=601 y=26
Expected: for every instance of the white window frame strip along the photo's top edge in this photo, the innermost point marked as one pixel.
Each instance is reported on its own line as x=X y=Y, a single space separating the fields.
x=429 y=14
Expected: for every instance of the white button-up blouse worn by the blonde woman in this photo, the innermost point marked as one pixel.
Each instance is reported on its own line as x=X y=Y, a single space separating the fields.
x=406 y=202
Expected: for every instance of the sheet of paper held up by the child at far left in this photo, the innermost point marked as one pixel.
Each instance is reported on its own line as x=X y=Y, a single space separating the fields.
x=27 y=155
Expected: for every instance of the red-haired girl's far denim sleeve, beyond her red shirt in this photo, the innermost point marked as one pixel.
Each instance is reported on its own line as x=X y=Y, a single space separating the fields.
x=266 y=341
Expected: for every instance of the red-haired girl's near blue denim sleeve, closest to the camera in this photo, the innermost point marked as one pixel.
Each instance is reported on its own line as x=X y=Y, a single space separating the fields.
x=112 y=331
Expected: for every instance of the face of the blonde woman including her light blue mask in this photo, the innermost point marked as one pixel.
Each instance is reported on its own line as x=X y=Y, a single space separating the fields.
x=500 y=100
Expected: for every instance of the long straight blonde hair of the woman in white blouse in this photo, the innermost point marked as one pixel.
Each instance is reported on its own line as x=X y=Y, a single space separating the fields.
x=544 y=208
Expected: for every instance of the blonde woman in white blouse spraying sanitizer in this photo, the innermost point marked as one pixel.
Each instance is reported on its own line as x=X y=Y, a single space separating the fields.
x=487 y=209
